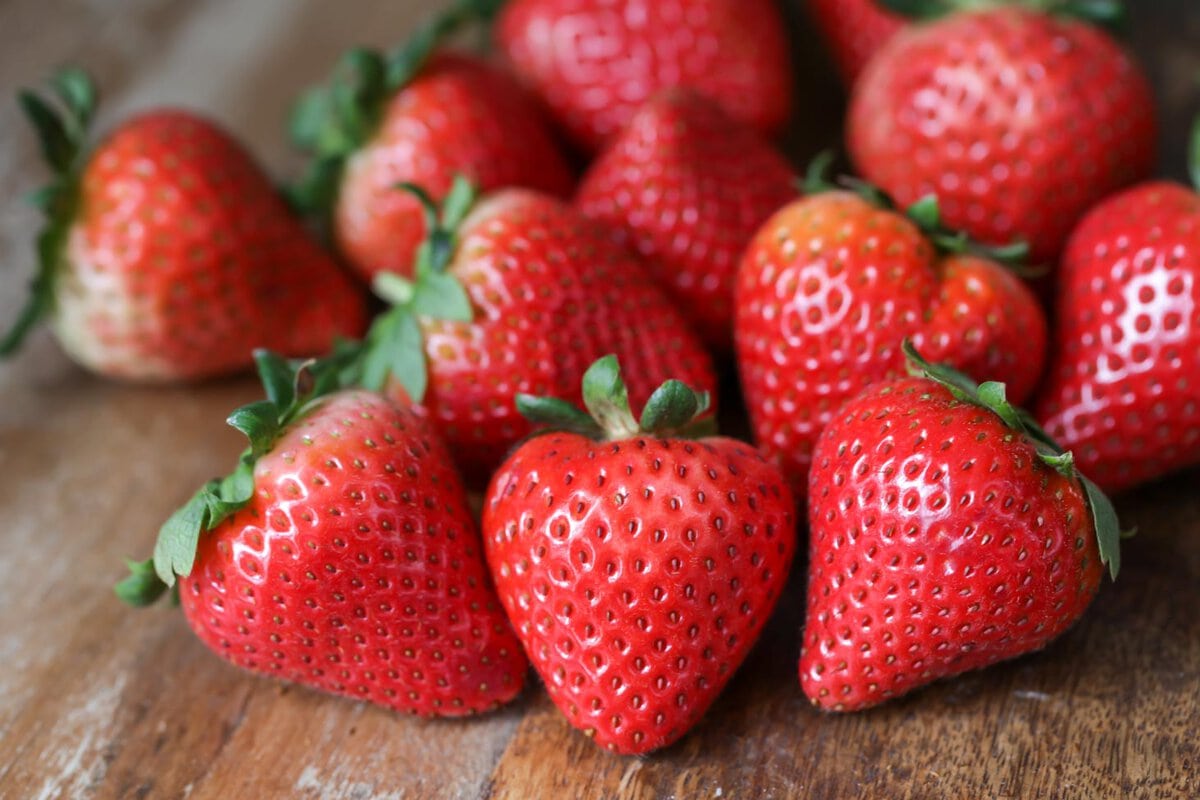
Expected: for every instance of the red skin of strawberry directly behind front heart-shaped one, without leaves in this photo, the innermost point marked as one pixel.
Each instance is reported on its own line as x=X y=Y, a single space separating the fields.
x=551 y=294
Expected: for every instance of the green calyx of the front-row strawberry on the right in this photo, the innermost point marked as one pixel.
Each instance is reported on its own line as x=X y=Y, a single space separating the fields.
x=992 y=396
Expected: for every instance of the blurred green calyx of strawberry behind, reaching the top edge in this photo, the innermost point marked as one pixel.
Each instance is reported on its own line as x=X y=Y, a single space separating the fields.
x=332 y=122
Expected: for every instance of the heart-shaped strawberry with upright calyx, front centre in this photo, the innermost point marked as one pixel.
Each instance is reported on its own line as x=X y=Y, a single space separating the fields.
x=638 y=567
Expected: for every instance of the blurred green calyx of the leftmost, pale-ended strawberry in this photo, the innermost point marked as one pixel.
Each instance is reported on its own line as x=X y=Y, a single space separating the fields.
x=62 y=119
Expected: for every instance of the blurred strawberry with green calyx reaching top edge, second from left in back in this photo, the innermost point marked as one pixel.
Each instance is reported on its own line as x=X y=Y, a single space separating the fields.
x=422 y=117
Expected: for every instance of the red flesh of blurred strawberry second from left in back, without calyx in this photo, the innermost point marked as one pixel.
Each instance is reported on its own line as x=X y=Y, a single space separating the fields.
x=460 y=116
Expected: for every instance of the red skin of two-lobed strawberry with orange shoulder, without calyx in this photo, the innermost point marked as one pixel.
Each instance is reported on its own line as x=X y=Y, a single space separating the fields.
x=827 y=292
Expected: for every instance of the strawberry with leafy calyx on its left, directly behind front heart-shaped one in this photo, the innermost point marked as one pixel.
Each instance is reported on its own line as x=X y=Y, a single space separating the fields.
x=519 y=296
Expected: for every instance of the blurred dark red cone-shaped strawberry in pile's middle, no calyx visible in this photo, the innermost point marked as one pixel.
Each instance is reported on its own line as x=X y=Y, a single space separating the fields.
x=687 y=187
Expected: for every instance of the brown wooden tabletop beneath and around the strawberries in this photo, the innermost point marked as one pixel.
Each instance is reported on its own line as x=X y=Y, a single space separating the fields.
x=101 y=701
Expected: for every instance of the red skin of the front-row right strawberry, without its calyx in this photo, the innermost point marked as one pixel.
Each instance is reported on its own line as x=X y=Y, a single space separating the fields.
x=939 y=544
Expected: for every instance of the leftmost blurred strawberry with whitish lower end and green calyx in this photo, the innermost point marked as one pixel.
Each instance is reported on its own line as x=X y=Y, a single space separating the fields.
x=167 y=254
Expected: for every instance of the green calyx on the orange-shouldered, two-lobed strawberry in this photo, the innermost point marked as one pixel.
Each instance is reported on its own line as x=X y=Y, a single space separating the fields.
x=926 y=214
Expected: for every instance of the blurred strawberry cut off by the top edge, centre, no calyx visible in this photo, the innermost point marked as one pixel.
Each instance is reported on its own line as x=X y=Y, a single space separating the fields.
x=597 y=62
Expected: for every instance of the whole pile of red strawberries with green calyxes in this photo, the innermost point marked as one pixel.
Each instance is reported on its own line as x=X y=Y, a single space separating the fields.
x=569 y=242
